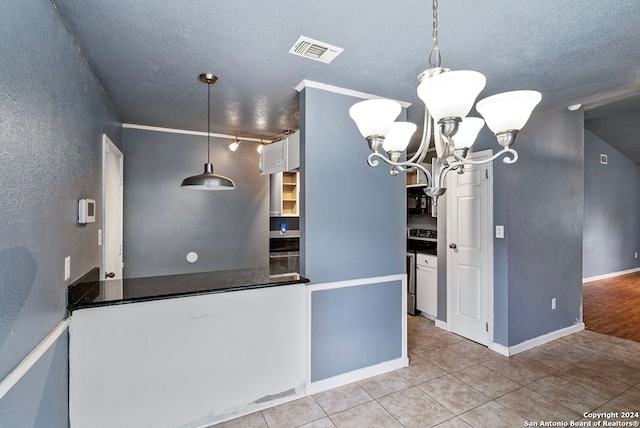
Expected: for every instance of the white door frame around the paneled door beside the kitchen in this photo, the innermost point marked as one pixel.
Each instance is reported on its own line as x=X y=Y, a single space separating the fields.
x=489 y=246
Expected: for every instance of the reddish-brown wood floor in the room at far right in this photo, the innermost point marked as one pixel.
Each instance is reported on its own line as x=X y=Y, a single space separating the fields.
x=612 y=306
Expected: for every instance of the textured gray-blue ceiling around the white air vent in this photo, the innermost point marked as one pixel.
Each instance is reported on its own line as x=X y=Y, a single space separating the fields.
x=147 y=54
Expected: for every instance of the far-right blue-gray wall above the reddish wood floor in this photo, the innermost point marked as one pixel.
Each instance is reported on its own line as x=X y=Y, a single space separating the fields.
x=611 y=210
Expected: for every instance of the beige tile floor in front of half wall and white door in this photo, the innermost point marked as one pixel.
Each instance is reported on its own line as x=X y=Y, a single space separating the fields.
x=453 y=382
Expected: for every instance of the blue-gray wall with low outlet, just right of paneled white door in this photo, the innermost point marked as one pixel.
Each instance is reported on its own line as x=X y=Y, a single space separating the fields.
x=545 y=198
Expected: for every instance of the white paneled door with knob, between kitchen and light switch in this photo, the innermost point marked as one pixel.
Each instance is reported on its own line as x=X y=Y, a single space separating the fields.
x=470 y=250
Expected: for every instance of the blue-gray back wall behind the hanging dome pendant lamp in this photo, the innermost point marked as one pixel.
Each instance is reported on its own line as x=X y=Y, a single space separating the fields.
x=163 y=222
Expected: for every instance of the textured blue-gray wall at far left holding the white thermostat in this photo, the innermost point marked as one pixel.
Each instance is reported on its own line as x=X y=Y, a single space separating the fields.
x=52 y=116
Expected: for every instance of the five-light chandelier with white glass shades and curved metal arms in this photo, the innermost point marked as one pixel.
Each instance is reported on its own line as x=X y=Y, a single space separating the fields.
x=448 y=97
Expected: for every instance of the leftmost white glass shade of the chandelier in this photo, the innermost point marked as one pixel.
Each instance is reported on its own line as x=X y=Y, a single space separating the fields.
x=375 y=117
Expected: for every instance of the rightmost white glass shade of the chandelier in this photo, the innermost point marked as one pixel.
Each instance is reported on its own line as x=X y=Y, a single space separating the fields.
x=508 y=111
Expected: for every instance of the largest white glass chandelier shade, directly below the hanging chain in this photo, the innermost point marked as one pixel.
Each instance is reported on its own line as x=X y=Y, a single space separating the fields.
x=451 y=94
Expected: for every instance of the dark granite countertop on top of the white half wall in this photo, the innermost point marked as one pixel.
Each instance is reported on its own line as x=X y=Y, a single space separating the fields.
x=89 y=291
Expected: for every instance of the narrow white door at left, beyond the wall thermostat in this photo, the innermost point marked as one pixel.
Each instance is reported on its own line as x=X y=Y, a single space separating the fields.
x=112 y=166
